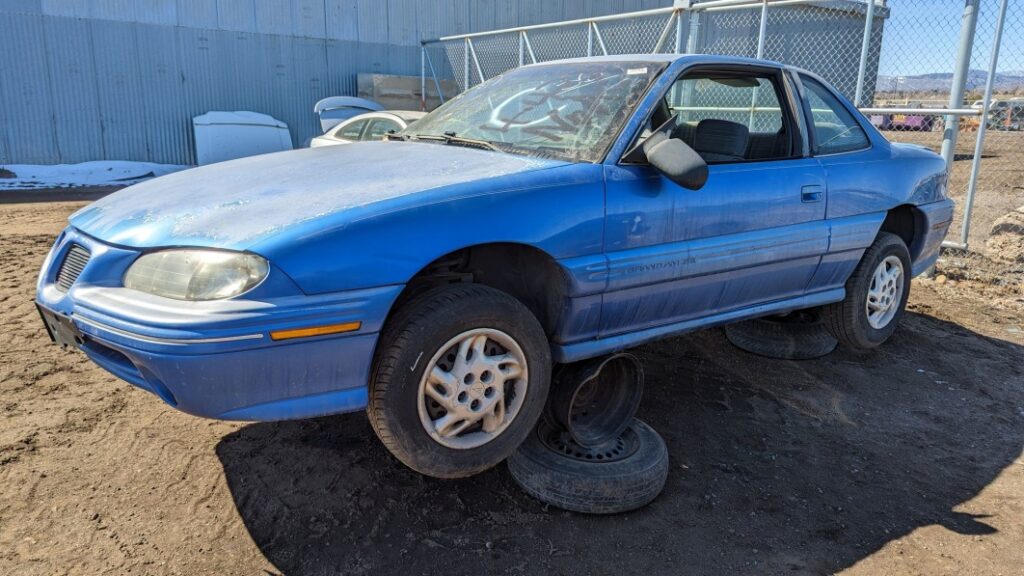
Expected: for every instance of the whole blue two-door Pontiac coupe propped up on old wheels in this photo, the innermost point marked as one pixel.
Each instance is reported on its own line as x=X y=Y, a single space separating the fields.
x=558 y=213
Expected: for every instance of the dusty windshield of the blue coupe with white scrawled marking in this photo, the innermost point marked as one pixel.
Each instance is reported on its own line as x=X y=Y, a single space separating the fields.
x=568 y=111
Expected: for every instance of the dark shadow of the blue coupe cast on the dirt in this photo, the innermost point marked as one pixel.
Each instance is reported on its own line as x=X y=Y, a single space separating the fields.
x=803 y=468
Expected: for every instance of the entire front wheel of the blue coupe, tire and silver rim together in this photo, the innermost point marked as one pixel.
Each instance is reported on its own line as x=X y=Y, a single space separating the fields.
x=461 y=379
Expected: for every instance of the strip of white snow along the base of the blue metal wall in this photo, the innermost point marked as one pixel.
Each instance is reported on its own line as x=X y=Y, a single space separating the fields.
x=105 y=173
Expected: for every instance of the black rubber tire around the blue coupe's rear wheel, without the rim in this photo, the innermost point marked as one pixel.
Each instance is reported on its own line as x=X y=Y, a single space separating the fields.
x=847 y=320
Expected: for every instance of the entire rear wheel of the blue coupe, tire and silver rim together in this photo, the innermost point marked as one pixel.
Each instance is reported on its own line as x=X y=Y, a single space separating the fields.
x=876 y=296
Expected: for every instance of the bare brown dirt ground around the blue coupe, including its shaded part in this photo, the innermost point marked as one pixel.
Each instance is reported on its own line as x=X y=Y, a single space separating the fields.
x=907 y=461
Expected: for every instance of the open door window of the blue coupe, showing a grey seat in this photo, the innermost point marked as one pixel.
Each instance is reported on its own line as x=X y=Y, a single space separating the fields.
x=730 y=117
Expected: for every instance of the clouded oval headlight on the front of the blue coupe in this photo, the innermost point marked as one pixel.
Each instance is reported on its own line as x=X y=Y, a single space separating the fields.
x=196 y=275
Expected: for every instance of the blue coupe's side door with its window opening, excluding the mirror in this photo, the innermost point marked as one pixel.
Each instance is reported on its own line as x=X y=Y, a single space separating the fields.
x=754 y=234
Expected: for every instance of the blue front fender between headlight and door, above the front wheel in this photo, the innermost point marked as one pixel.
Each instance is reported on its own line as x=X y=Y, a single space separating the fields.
x=559 y=211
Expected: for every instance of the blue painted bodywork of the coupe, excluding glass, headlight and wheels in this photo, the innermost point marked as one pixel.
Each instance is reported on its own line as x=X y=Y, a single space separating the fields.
x=346 y=228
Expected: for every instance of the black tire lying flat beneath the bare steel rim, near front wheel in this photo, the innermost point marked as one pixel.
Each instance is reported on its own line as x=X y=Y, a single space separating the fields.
x=556 y=477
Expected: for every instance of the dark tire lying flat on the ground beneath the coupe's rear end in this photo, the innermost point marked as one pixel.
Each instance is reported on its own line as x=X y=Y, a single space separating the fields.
x=800 y=336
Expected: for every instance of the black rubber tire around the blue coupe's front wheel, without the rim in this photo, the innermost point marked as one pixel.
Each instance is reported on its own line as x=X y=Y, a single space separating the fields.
x=415 y=335
